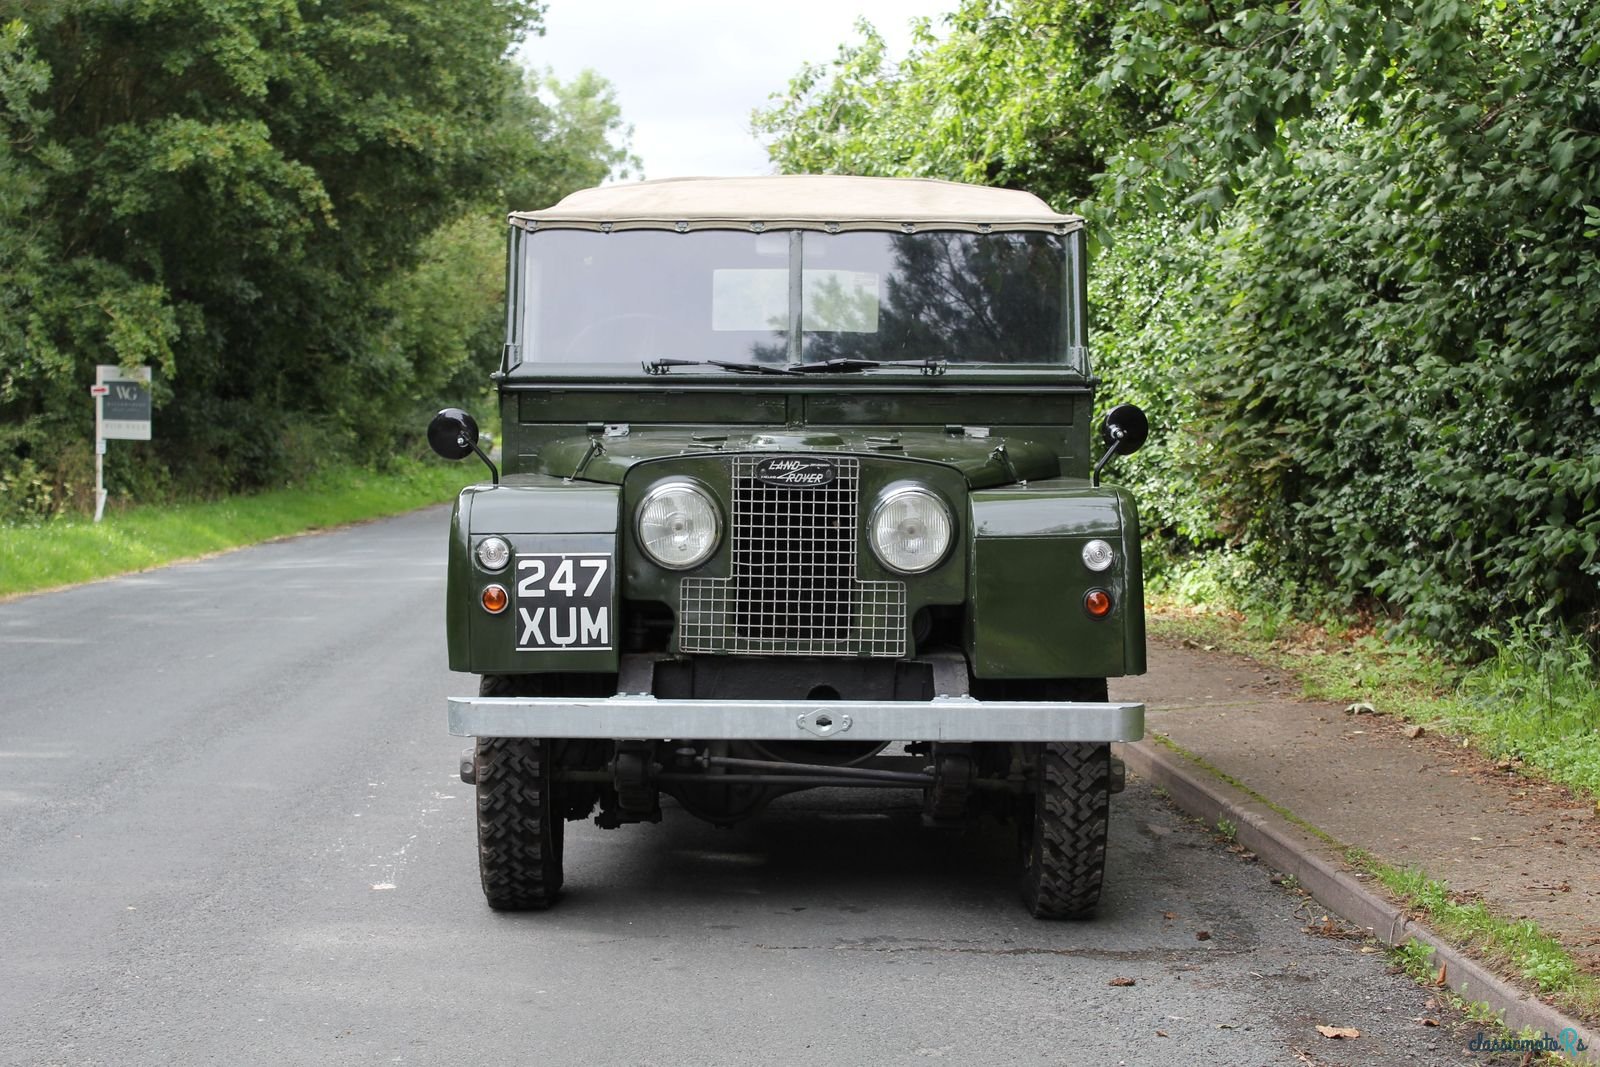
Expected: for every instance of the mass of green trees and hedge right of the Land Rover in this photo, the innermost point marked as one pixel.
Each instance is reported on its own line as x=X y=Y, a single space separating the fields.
x=1348 y=258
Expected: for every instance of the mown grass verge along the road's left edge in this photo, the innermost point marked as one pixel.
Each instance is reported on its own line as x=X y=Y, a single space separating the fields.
x=70 y=551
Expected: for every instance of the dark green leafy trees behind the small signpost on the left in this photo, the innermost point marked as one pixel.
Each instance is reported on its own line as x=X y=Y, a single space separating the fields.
x=279 y=207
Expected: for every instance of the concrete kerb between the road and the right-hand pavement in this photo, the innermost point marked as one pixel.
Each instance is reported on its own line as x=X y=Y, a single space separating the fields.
x=1319 y=871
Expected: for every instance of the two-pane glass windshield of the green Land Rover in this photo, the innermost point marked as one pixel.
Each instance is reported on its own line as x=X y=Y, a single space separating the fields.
x=791 y=297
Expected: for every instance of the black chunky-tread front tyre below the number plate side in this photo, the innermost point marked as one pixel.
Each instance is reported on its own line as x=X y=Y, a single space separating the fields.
x=519 y=818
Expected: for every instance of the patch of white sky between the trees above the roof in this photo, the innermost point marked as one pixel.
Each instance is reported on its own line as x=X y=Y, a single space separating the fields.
x=689 y=73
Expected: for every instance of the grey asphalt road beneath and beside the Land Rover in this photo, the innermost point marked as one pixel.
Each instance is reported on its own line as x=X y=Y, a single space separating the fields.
x=231 y=831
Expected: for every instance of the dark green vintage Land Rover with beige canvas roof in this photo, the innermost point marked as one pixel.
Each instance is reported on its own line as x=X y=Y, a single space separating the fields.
x=798 y=470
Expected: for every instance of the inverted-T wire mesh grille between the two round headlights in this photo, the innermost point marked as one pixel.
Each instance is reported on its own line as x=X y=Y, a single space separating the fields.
x=794 y=589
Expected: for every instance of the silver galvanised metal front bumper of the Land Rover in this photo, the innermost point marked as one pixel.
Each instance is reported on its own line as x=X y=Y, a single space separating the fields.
x=650 y=719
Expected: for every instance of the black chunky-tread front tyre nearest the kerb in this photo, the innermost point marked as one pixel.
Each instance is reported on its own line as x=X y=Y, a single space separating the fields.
x=1063 y=845
